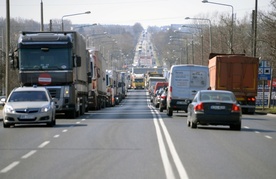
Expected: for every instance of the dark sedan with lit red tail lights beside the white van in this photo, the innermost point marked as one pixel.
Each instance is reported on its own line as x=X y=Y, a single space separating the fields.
x=214 y=107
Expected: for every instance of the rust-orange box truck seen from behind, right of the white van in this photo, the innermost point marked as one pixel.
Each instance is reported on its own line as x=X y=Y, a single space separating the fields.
x=237 y=73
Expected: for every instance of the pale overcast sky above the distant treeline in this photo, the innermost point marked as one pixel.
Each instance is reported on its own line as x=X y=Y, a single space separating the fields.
x=128 y=12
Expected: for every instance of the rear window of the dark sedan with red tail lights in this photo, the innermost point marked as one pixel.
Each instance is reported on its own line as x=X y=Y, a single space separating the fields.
x=217 y=96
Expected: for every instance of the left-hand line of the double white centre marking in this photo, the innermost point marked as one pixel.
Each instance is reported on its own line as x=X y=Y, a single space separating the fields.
x=163 y=151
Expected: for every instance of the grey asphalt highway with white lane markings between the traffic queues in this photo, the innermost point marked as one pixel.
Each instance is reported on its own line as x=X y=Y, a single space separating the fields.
x=134 y=140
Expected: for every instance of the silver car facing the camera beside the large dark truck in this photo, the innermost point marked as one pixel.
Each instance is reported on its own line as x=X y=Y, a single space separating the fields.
x=29 y=105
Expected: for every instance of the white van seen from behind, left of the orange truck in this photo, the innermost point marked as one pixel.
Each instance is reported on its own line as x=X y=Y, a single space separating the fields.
x=184 y=82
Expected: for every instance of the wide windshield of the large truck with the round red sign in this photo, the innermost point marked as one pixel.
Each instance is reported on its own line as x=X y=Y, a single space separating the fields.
x=52 y=59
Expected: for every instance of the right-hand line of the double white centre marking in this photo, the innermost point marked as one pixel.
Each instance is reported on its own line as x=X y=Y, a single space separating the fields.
x=180 y=168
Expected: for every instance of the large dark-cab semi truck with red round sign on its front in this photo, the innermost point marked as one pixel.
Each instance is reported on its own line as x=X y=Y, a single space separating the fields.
x=58 y=61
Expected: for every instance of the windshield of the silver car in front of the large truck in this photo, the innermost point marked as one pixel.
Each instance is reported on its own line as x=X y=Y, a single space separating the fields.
x=21 y=96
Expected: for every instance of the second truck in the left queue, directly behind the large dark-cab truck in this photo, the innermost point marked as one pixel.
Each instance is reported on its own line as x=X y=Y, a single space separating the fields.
x=97 y=90
